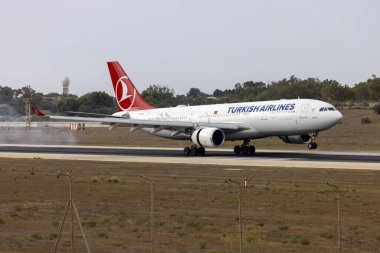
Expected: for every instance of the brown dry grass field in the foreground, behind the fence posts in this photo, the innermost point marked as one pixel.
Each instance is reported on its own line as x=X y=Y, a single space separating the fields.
x=284 y=210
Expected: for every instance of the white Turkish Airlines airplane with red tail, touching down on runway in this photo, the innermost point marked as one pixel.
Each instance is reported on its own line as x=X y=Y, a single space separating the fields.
x=295 y=121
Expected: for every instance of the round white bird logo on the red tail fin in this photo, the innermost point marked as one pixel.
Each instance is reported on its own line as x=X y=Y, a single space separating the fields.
x=125 y=98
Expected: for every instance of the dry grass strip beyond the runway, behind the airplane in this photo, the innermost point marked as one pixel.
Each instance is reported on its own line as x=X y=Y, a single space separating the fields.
x=350 y=135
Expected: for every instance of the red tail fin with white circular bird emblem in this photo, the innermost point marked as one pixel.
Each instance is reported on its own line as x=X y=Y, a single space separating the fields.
x=127 y=96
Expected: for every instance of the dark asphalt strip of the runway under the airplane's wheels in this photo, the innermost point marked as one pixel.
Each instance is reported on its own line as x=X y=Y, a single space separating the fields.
x=177 y=153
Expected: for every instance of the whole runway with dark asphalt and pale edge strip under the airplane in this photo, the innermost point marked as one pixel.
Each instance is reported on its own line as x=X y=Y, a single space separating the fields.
x=276 y=158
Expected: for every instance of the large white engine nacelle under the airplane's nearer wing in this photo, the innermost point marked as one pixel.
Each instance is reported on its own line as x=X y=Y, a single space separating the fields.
x=208 y=137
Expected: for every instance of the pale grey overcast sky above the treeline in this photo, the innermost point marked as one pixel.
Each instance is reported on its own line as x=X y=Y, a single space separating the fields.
x=207 y=44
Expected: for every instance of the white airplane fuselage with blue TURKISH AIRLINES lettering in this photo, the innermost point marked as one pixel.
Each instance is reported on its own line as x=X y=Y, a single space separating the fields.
x=263 y=119
